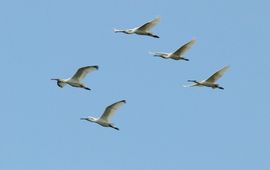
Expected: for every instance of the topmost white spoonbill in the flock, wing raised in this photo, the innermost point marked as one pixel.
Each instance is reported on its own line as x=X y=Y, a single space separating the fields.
x=142 y=30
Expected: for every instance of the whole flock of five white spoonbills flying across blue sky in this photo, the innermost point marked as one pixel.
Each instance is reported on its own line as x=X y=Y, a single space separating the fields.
x=104 y=119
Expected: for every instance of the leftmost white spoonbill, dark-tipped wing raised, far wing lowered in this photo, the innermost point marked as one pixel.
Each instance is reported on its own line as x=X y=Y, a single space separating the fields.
x=75 y=80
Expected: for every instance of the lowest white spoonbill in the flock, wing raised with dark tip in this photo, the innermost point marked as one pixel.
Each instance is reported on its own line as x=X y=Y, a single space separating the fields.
x=104 y=120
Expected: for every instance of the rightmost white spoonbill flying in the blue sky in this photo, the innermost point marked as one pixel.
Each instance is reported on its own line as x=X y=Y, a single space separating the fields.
x=210 y=82
